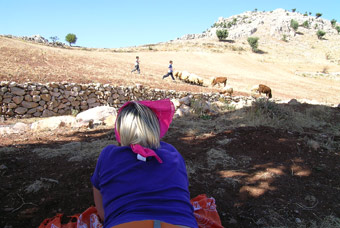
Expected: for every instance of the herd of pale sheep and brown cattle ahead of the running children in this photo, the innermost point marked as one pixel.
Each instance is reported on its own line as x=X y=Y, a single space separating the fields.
x=197 y=80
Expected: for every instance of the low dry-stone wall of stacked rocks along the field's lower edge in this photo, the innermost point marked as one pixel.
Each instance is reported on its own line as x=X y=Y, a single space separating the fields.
x=52 y=99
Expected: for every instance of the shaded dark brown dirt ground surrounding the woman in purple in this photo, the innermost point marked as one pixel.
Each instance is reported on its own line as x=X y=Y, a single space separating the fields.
x=259 y=176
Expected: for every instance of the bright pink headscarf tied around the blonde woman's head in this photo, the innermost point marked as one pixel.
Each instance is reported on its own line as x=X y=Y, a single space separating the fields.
x=164 y=110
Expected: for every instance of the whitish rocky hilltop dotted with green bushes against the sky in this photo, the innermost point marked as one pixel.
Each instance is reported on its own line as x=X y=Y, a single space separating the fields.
x=273 y=23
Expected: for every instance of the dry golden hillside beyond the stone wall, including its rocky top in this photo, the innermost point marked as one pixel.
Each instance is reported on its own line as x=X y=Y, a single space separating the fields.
x=292 y=69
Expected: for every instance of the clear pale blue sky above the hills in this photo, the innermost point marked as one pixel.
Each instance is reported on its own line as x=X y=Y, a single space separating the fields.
x=122 y=23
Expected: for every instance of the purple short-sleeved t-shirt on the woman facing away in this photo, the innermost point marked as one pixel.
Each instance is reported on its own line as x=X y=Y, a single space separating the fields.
x=134 y=190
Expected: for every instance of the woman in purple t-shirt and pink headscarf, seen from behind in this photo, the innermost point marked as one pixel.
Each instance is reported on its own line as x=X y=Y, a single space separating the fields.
x=142 y=182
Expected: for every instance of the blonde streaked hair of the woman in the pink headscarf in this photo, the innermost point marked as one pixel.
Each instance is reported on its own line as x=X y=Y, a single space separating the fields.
x=138 y=124
